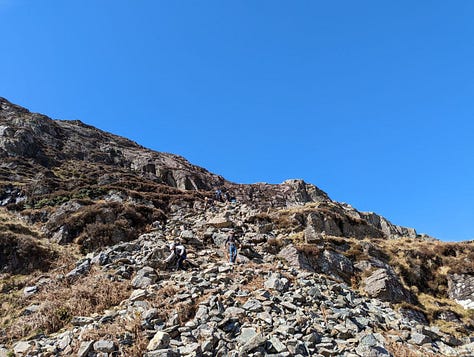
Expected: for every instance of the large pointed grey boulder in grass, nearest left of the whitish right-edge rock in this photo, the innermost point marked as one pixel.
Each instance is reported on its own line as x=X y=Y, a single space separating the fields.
x=384 y=285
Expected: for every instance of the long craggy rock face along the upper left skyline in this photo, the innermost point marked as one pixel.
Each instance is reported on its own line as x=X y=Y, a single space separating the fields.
x=49 y=142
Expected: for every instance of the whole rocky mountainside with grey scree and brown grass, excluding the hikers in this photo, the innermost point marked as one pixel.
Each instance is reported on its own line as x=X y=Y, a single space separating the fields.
x=85 y=221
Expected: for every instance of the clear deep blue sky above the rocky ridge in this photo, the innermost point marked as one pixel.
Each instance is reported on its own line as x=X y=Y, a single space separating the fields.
x=372 y=101
